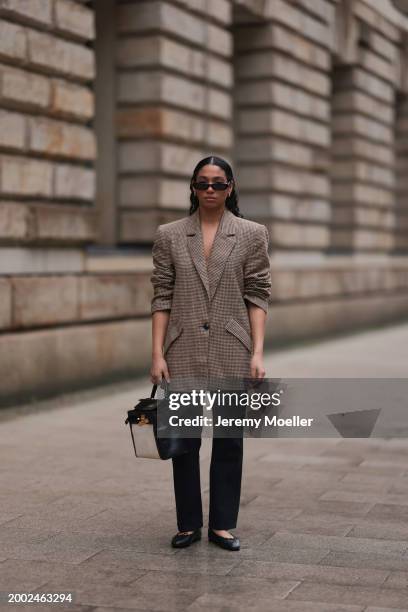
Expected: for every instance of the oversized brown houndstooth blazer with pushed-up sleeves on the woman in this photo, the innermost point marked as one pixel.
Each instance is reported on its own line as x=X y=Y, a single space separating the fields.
x=209 y=334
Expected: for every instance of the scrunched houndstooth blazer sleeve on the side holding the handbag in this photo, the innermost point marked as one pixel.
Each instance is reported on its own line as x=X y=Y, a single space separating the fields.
x=163 y=274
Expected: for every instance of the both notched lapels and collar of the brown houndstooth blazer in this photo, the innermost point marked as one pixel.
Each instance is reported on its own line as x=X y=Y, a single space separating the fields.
x=223 y=244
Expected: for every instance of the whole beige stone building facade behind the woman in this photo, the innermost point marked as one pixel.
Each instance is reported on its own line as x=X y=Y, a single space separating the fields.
x=106 y=106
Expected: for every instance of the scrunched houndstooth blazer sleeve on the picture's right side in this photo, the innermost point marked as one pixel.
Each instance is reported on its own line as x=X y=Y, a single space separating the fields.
x=257 y=272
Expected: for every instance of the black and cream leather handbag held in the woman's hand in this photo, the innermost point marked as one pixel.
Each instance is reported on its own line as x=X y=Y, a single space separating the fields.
x=142 y=420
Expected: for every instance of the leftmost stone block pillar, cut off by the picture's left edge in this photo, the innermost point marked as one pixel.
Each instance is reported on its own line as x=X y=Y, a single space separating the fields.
x=47 y=149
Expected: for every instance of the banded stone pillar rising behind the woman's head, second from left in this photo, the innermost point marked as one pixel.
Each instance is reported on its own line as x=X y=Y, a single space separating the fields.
x=174 y=81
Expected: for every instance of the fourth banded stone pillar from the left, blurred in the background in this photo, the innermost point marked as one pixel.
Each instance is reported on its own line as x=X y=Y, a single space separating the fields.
x=363 y=104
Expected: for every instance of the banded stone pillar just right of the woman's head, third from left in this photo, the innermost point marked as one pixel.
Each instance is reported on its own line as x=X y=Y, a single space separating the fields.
x=282 y=66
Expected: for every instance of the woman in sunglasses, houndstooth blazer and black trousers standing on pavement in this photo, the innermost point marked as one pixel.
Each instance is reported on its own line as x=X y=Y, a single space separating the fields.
x=211 y=283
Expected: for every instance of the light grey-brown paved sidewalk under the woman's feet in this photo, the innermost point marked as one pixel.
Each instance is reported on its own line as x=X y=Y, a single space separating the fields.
x=323 y=522
